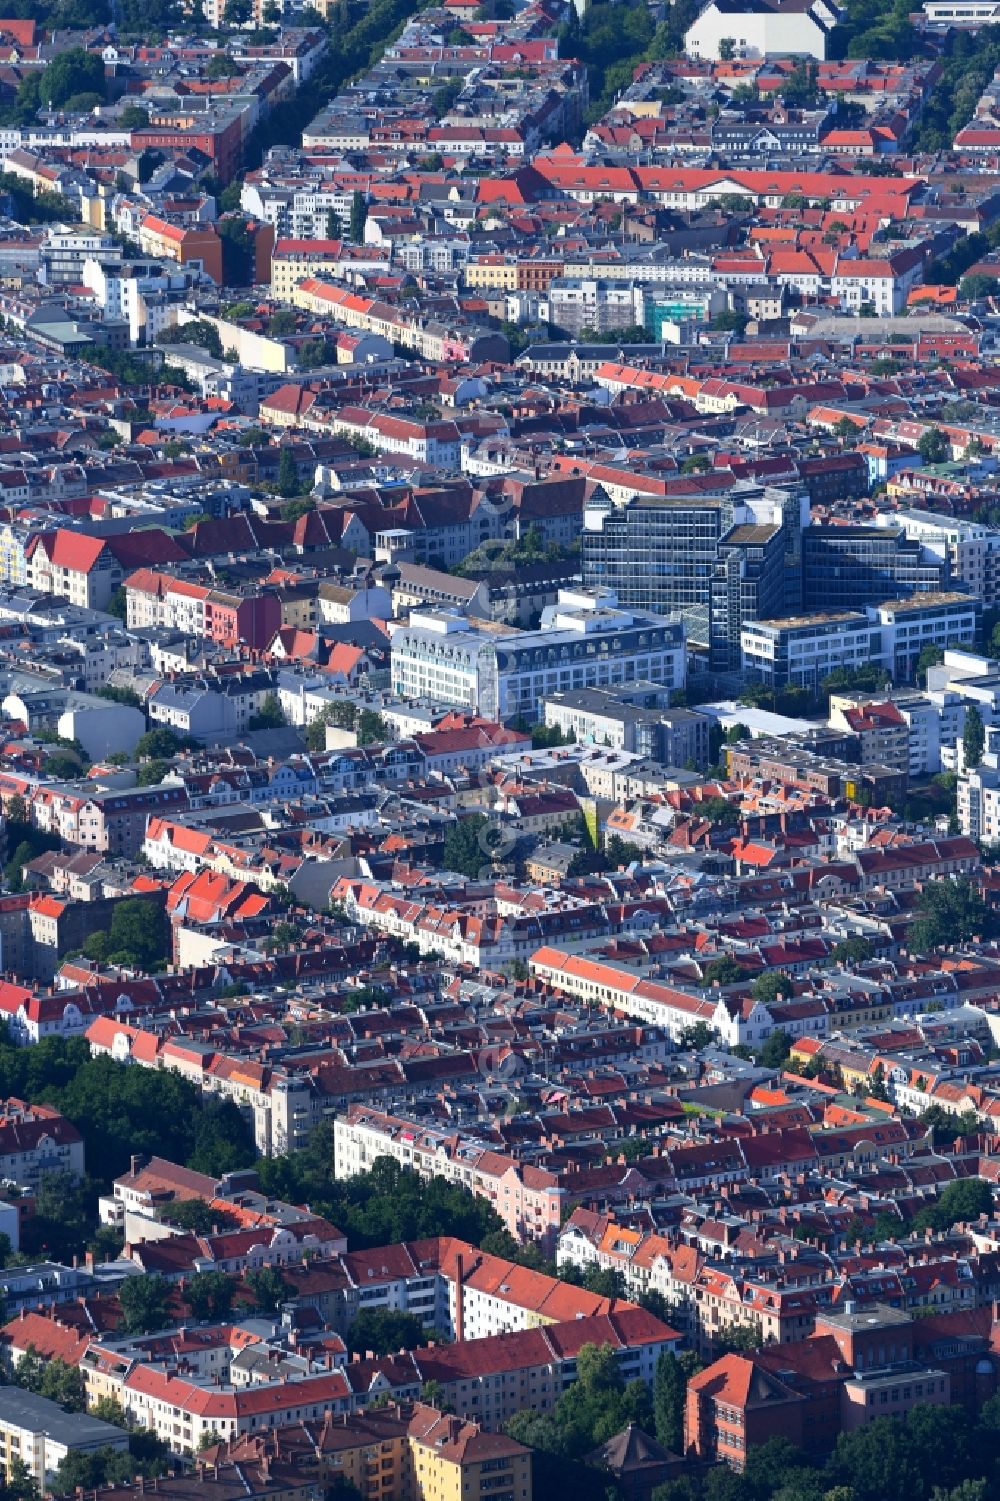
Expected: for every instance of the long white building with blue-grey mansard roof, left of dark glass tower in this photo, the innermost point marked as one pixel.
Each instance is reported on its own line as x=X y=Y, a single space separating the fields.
x=585 y=642
